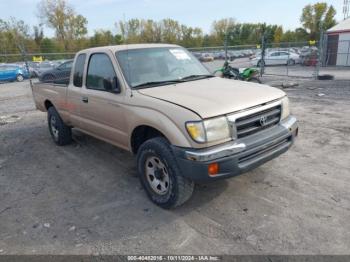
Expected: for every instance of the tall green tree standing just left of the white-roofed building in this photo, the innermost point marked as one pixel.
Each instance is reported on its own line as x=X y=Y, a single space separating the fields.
x=317 y=17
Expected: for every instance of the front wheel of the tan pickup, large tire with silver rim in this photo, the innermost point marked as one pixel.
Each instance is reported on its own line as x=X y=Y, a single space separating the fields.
x=160 y=174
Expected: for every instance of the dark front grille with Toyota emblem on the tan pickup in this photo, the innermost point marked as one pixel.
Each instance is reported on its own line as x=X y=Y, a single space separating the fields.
x=256 y=122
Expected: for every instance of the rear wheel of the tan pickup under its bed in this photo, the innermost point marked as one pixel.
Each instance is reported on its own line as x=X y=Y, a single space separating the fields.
x=60 y=132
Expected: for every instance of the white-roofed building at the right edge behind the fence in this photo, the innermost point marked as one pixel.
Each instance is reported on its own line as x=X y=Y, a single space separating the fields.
x=338 y=44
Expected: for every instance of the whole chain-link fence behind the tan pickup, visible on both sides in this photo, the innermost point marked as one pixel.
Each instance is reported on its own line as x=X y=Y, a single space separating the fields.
x=331 y=56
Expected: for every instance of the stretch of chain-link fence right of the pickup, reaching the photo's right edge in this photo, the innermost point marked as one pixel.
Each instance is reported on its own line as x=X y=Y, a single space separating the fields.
x=330 y=57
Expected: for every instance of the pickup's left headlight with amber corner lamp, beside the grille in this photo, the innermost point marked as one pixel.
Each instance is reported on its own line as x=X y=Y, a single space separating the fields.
x=209 y=130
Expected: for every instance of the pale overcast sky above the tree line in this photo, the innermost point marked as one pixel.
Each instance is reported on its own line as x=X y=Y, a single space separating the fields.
x=103 y=14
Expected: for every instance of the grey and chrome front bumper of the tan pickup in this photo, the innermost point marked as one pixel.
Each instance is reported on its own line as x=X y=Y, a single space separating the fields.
x=237 y=157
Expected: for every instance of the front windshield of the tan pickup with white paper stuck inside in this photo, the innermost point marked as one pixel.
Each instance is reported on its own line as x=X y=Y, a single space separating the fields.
x=149 y=67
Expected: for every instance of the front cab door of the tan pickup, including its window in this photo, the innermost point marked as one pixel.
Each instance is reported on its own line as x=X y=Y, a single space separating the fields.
x=102 y=108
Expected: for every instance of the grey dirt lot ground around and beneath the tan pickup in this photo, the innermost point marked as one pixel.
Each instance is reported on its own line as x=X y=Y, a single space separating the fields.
x=86 y=198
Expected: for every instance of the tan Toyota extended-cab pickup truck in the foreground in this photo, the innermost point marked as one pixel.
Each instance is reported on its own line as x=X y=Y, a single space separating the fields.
x=160 y=103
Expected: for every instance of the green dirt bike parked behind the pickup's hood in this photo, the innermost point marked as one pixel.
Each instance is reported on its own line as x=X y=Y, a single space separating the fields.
x=248 y=74
